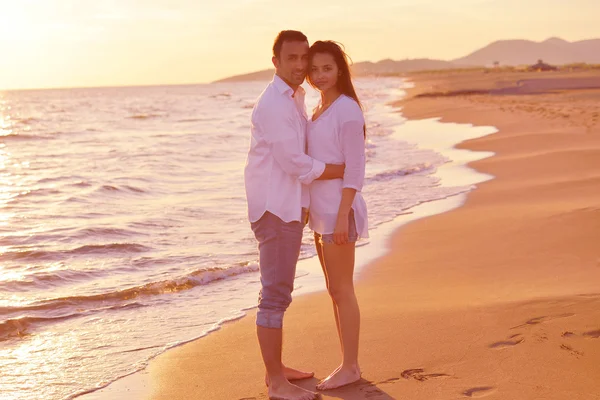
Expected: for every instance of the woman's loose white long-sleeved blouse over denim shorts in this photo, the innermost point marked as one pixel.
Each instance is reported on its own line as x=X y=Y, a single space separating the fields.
x=337 y=137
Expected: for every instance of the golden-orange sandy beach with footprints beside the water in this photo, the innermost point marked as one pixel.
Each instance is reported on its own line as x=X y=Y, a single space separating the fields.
x=499 y=298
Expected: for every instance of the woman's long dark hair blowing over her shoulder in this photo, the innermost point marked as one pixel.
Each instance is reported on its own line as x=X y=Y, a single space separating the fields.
x=344 y=82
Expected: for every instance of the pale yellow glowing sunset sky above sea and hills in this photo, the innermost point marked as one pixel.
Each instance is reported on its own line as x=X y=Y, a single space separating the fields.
x=75 y=43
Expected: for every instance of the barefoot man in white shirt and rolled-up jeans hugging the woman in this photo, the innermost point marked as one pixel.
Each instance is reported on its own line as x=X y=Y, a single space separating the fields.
x=276 y=171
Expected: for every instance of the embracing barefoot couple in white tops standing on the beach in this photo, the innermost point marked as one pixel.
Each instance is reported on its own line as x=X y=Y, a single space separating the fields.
x=303 y=169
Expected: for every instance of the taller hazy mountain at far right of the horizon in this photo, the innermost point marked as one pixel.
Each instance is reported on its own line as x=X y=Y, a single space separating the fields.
x=518 y=52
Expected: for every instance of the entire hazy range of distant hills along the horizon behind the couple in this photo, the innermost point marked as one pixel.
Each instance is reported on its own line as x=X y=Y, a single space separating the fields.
x=554 y=51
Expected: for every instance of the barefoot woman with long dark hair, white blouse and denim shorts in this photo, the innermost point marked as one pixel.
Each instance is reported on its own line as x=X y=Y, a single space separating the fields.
x=338 y=213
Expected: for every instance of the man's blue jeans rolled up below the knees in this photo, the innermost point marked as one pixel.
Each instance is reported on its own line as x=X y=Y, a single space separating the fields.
x=279 y=248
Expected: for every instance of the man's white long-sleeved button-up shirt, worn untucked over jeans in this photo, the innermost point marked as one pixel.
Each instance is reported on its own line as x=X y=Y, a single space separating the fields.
x=277 y=167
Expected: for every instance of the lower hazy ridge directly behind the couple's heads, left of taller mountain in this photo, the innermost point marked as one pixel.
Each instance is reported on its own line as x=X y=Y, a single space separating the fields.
x=365 y=68
